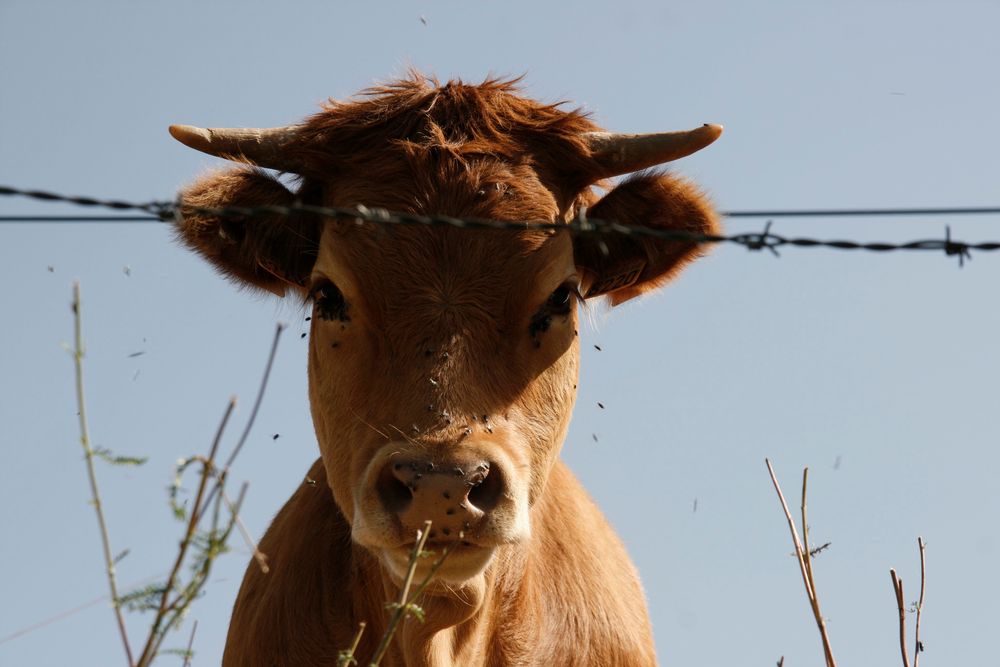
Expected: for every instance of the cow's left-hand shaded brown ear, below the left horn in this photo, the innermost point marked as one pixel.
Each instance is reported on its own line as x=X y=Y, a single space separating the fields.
x=271 y=252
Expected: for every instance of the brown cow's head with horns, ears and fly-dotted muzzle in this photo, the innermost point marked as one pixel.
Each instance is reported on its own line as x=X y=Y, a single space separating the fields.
x=442 y=361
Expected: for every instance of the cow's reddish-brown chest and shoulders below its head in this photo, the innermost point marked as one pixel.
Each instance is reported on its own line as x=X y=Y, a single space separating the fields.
x=562 y=601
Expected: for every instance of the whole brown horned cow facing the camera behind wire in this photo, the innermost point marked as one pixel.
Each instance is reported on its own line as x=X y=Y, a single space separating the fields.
x=443 y=369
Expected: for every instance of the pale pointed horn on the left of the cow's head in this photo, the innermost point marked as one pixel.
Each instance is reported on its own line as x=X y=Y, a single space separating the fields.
x=260 y=146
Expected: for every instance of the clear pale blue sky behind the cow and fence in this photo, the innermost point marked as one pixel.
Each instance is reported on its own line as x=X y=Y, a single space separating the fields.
x=880 y=372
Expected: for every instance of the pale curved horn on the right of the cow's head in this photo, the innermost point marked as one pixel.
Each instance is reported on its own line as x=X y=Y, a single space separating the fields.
x=616 y=154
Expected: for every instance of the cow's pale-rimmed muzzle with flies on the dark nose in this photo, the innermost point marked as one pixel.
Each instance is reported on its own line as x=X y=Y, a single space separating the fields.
x=471 y=496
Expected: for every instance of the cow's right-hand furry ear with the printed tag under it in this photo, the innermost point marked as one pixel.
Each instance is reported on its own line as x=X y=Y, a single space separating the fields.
x=622 y=266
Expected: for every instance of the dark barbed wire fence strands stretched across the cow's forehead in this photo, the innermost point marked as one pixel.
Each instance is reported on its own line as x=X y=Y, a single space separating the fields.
x=763 y=240
